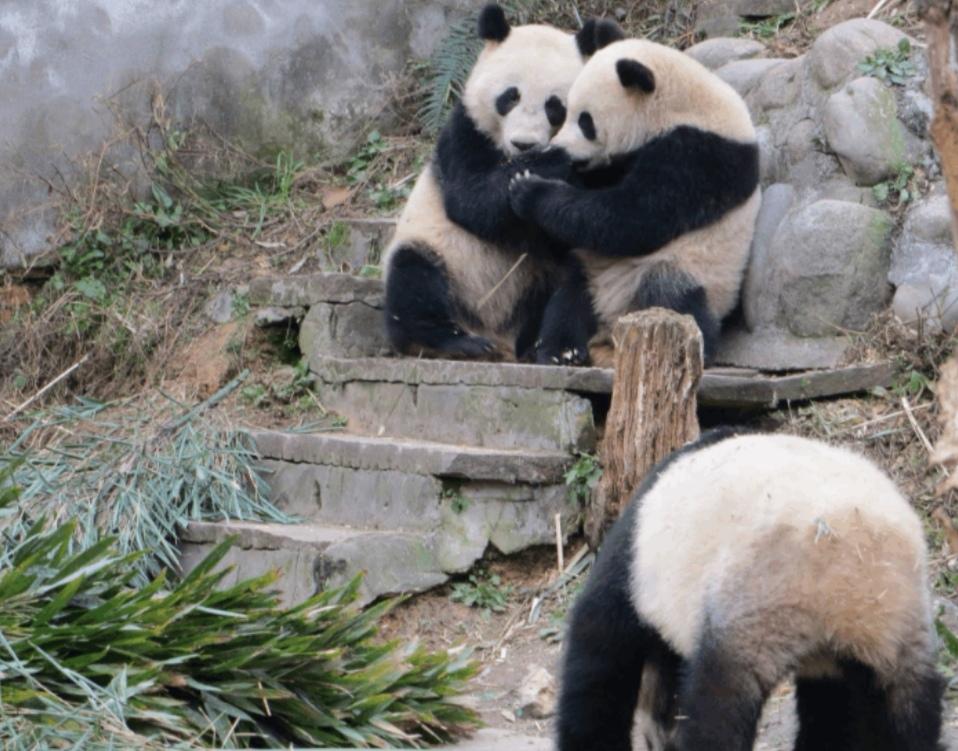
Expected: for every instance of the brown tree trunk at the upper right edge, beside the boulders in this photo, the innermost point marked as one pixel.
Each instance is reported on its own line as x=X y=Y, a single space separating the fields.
x=941 y=33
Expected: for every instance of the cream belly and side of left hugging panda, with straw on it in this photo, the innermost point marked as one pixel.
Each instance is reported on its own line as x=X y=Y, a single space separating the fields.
x=473 y=267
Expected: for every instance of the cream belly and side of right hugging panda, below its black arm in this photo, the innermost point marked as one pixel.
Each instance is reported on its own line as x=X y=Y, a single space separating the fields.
x=714 y=256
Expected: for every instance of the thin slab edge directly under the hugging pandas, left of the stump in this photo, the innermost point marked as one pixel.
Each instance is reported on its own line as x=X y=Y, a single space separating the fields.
x=465 y=373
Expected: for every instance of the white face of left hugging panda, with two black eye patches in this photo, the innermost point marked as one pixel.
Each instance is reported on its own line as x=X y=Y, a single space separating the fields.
x=518 y=89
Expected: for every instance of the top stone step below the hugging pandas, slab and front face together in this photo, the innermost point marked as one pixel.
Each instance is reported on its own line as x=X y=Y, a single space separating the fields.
x=481 y=404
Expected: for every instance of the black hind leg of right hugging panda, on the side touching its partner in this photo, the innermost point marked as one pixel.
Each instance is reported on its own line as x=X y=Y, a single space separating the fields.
x=569 y=321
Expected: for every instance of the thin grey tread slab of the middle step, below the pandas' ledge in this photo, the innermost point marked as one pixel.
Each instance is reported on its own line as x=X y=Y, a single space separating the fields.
x=414 y=457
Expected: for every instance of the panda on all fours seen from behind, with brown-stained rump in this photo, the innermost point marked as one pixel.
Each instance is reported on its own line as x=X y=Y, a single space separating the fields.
x=741 y=560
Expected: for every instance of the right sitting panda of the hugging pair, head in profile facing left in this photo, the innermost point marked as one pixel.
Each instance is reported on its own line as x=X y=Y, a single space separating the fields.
x=669 y=196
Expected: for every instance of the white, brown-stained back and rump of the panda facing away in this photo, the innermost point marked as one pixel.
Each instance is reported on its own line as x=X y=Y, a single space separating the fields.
x=760 y=555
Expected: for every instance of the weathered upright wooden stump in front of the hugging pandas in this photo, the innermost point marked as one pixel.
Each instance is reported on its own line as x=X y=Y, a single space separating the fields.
x=658 y=366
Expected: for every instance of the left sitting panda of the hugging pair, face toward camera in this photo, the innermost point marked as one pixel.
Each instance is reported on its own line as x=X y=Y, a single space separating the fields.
x=464 y=275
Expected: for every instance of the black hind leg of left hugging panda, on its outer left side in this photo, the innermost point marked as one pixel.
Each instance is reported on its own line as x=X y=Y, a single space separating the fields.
x=420 y=310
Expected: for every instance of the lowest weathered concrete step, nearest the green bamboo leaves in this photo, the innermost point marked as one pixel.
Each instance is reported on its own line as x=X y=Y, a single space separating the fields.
x=312 y=557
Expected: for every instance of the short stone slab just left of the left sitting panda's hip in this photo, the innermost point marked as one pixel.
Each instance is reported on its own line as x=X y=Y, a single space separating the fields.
x=312 y=289
